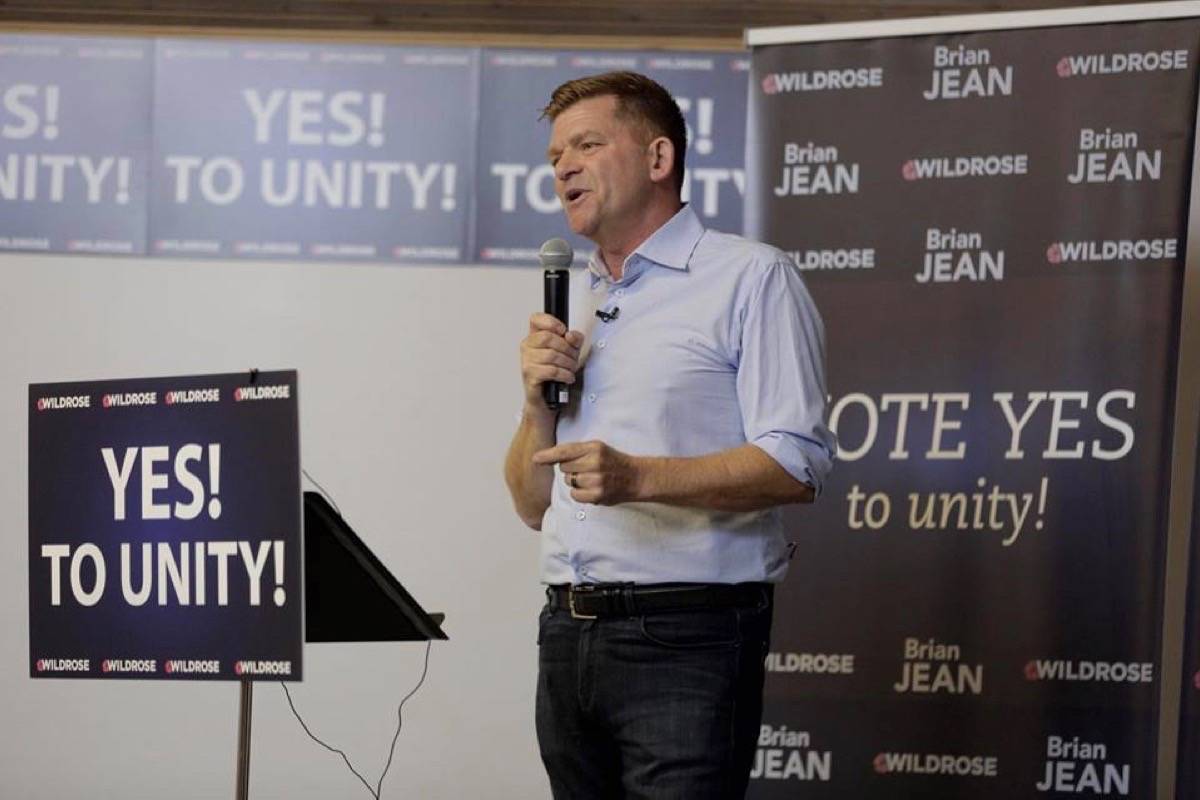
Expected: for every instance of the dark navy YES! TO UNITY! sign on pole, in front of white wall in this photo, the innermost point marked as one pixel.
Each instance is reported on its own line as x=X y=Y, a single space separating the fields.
x=165 y=528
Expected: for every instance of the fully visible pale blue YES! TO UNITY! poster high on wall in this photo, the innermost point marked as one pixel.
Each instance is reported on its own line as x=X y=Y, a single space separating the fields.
x=313 y=152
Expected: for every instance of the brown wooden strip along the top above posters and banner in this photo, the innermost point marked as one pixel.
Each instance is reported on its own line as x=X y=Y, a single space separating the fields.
x=637 y=21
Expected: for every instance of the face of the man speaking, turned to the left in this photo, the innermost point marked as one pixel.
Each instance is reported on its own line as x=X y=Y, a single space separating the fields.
x=602 y=169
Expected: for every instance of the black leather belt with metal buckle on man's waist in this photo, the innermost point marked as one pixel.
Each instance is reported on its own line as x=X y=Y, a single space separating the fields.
x=597 y=600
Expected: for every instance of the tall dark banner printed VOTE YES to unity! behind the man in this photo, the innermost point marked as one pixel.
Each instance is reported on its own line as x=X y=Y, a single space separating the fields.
x=993 y=227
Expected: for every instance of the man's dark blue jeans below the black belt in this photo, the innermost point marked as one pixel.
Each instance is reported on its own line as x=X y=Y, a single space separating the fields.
x=661 y=707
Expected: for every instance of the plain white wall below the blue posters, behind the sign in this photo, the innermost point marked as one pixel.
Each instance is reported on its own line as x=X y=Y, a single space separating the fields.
x=409 y=392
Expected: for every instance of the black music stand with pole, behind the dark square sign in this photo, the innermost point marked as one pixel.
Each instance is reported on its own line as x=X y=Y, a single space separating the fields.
x=350 y=597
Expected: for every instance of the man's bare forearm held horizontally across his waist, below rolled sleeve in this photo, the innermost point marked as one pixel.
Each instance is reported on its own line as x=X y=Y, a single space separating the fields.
x=741 y=479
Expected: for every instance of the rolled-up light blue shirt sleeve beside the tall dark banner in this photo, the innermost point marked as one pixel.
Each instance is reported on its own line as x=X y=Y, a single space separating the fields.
x=781 y=382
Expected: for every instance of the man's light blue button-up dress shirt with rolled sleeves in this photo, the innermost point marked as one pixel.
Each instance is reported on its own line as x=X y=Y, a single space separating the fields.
x=715 y=344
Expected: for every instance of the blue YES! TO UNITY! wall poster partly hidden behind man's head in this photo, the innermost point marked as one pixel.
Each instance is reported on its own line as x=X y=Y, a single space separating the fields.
x=518 y=208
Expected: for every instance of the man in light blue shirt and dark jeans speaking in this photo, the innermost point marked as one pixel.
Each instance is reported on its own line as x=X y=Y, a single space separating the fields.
x=698 y=408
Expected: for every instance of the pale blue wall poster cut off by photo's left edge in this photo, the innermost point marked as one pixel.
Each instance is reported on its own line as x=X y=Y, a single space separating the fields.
x=75 y=141
